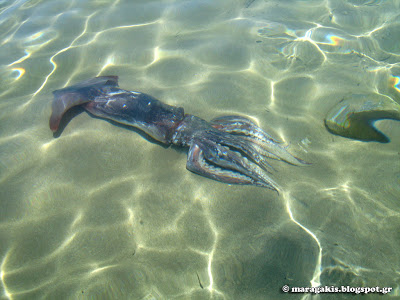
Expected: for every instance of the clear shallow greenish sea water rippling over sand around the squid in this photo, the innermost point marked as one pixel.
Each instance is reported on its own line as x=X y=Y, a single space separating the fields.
x=102 y=213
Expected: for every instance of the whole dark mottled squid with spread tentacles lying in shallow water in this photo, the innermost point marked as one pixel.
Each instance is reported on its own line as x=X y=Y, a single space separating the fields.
x=231 y=149
